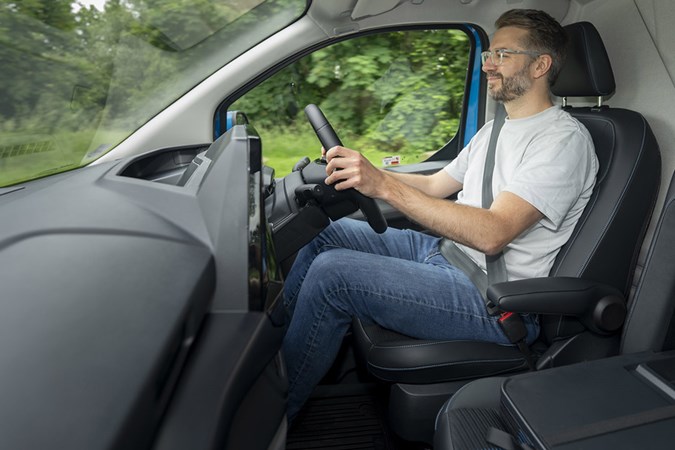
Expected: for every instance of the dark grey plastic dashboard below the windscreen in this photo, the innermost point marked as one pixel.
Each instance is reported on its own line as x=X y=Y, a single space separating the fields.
x=124 y=285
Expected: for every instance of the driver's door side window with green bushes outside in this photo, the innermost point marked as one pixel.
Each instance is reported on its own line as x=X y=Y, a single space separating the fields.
x=397 y=97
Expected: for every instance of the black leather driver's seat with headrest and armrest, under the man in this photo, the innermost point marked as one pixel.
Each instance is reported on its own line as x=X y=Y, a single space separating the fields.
x=603 y=248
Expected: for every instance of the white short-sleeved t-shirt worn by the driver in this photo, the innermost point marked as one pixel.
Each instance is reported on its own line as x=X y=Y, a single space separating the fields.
x=548 y=160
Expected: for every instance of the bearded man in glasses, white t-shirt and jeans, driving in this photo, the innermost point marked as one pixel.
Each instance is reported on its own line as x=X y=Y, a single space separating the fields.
x=544 y=173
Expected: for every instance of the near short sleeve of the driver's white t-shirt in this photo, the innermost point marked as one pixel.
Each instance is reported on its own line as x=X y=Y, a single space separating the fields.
x=554 y=173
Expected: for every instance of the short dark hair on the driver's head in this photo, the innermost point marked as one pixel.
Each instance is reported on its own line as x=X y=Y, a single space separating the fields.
x=545 y=35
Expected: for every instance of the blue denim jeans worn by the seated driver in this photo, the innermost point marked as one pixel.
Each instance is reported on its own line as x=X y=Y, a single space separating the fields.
x=397 y=279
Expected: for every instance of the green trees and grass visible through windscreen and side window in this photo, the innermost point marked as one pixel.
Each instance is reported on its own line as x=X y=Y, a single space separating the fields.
x=77 y=80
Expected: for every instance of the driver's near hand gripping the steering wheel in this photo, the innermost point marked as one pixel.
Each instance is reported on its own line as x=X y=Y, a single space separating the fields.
x=347 y=169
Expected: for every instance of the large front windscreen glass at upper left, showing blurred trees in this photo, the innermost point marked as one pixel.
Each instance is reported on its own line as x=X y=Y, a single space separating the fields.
x=79 y=76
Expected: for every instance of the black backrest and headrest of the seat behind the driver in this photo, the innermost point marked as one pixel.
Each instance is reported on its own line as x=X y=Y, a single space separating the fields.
x=607 y=239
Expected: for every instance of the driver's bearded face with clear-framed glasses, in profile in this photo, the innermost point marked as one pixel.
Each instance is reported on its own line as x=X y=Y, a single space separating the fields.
x=512 y=79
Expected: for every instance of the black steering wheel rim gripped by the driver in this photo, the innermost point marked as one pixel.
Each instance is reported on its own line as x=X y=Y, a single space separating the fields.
x=326 y=134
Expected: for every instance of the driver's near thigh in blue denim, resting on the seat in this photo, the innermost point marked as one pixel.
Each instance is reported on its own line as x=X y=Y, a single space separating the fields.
x=428 y=300
